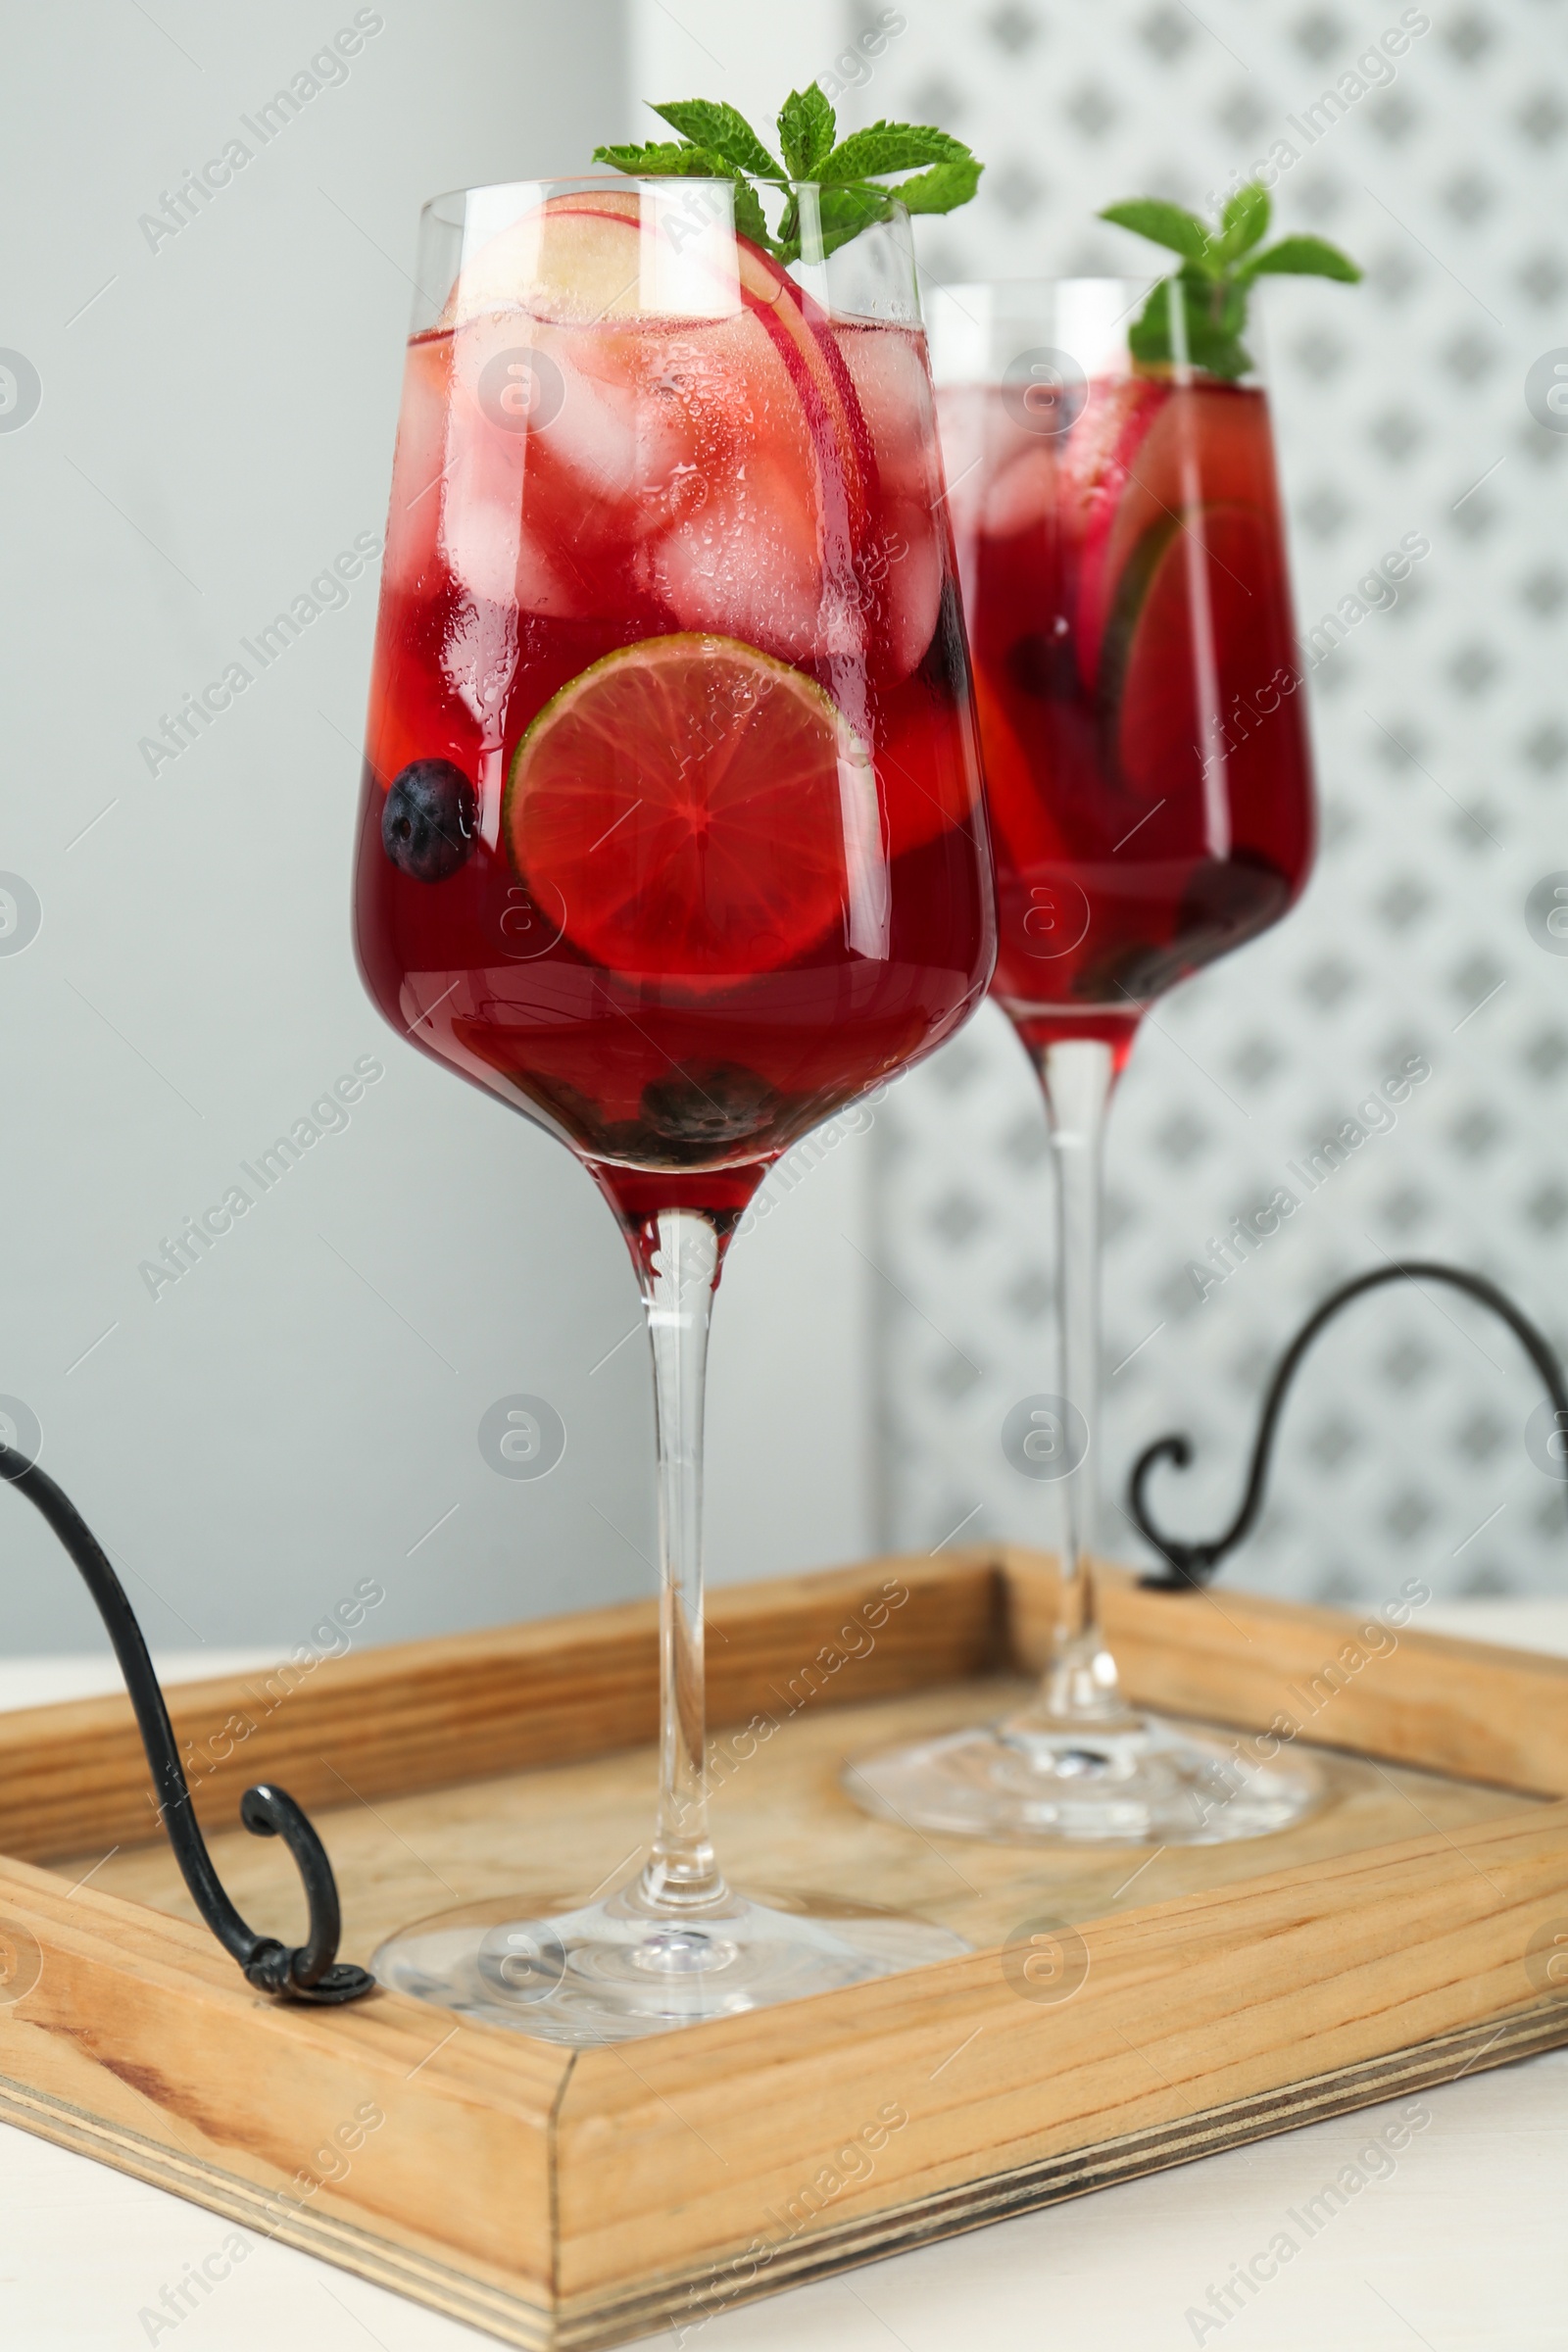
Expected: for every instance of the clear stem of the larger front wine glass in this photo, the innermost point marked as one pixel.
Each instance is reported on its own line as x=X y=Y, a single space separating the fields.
x=678 y=1283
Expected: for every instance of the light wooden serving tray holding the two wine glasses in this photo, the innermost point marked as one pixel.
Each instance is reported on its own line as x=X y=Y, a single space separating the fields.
x=558 y=2198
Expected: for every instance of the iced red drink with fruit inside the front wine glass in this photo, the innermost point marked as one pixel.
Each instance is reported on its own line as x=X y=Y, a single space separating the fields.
x=676 y=982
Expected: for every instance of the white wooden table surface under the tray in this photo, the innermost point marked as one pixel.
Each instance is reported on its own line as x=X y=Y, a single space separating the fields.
x=1461 y=2245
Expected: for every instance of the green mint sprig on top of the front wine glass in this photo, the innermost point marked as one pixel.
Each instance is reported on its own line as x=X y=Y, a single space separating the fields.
x=716 y=142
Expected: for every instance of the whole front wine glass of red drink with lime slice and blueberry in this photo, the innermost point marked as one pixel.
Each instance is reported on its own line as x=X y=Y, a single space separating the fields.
x=671 y=838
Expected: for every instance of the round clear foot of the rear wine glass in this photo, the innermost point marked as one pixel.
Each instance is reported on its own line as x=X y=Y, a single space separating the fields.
x=1146 y=1784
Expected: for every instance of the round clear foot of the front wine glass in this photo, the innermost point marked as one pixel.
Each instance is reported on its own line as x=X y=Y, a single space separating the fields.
x=615 y=1972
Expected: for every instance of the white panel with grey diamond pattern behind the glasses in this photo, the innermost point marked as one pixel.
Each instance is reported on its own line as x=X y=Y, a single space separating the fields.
x=1423 y=410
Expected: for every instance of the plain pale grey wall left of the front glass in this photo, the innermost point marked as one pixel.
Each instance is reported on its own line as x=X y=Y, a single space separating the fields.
x=215 y=427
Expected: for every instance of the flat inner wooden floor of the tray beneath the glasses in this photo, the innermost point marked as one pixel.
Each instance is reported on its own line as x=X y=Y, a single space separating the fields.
x=554 y=1836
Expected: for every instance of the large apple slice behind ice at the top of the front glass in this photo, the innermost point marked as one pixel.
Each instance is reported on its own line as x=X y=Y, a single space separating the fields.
x=746 y=401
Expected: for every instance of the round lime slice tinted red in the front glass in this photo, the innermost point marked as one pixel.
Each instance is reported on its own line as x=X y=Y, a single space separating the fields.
x=697 y=808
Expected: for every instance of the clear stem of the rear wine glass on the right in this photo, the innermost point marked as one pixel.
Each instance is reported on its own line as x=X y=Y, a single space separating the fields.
x=1078 y=1076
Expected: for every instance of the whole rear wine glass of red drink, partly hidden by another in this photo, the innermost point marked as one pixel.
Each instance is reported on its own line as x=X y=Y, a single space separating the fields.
x=1151 y=796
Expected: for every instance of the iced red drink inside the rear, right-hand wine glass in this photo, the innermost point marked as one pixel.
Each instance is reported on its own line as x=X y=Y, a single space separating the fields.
x=1141 y=716
